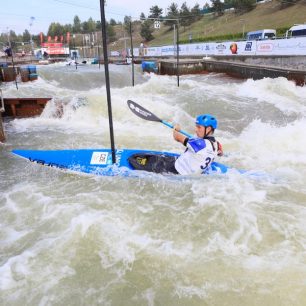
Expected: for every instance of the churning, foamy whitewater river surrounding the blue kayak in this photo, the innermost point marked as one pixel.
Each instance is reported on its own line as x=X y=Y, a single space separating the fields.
x=70 y=239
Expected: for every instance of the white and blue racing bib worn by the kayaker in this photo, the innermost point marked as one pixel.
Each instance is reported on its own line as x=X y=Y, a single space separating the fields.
x=200 y=153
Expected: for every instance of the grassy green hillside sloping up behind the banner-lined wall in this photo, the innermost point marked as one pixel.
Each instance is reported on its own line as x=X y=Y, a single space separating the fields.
x=267 y=15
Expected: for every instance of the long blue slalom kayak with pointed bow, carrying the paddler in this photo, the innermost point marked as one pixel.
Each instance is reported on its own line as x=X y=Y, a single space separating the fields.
x=99 y=161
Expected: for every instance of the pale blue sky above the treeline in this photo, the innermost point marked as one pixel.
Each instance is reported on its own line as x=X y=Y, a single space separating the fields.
x=16 y=14
